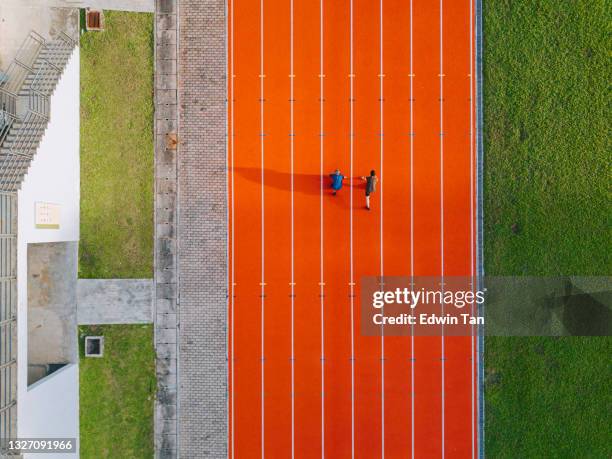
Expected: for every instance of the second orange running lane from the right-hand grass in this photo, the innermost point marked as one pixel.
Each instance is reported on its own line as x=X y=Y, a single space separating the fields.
x=427 y=222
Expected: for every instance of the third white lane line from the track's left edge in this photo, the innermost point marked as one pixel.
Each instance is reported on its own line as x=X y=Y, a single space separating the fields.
x=292 y=146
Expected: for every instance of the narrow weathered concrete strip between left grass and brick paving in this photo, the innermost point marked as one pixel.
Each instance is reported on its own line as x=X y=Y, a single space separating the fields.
x=165 y=276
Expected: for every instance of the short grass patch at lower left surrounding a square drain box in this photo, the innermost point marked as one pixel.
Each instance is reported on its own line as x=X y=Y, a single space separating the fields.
x=117 y=393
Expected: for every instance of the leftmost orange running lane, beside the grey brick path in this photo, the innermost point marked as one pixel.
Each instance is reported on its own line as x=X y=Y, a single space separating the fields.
x=246 y=209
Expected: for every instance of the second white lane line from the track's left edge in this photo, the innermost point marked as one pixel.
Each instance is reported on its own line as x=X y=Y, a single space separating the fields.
x=261 y=137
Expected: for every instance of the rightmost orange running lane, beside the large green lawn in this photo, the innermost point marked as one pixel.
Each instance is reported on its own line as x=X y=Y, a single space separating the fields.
x=459 y=386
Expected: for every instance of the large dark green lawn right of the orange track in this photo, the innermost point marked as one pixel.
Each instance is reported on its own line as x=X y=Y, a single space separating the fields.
x=546 y=70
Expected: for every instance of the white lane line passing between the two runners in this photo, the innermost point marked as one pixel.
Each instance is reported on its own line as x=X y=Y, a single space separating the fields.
x=352 y=284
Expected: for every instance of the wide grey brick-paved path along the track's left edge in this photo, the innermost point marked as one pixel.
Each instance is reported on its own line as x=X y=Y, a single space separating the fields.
x=202 y=227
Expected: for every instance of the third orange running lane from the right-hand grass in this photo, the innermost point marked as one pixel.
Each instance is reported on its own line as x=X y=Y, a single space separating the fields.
x=394 y=108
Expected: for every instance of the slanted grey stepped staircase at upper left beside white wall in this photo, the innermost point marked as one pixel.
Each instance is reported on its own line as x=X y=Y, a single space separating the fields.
x=24 y=103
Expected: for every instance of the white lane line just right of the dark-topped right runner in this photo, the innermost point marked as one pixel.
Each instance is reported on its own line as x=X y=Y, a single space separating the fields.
x=382 y=151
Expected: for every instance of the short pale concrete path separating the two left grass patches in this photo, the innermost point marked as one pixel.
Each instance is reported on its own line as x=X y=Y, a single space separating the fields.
x=114 y=301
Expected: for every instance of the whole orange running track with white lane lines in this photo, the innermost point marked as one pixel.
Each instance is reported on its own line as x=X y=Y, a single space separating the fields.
x=356 y=85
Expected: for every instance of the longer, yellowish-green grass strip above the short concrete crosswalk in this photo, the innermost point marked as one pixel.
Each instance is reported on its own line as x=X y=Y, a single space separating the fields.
x=117 y=148
